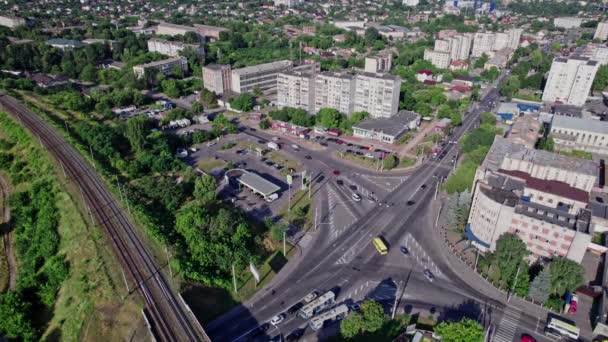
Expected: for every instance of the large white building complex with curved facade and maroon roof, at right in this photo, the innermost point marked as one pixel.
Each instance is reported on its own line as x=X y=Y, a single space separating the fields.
x=538 y=195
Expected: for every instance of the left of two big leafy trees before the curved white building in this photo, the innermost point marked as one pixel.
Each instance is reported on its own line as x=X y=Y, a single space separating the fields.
x=509 y=254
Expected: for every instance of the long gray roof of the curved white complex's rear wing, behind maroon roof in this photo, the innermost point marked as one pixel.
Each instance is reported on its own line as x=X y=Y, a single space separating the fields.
x=502 y=148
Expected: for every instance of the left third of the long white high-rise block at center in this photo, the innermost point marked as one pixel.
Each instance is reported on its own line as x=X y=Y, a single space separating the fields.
x=296 y=89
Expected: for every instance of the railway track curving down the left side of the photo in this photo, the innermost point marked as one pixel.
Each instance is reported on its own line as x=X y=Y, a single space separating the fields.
x=167 y=314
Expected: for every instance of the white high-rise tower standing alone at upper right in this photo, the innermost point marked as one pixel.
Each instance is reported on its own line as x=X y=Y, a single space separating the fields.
x=570 y=80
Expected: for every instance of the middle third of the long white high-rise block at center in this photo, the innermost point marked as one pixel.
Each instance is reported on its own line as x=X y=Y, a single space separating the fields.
x=333 y=90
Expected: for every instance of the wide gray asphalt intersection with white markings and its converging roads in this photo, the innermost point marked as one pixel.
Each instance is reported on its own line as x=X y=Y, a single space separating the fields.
x=349 y=264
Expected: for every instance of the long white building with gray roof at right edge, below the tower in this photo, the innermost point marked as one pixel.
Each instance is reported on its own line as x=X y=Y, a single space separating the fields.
x=572 y=133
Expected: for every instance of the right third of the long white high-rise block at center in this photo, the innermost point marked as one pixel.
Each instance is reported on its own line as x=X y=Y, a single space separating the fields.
x=377 y=94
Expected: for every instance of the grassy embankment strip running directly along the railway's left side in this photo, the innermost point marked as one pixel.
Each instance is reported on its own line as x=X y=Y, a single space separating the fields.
x=89 y=304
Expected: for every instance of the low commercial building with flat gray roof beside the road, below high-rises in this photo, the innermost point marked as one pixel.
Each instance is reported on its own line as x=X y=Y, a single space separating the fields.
x=387 y=130
